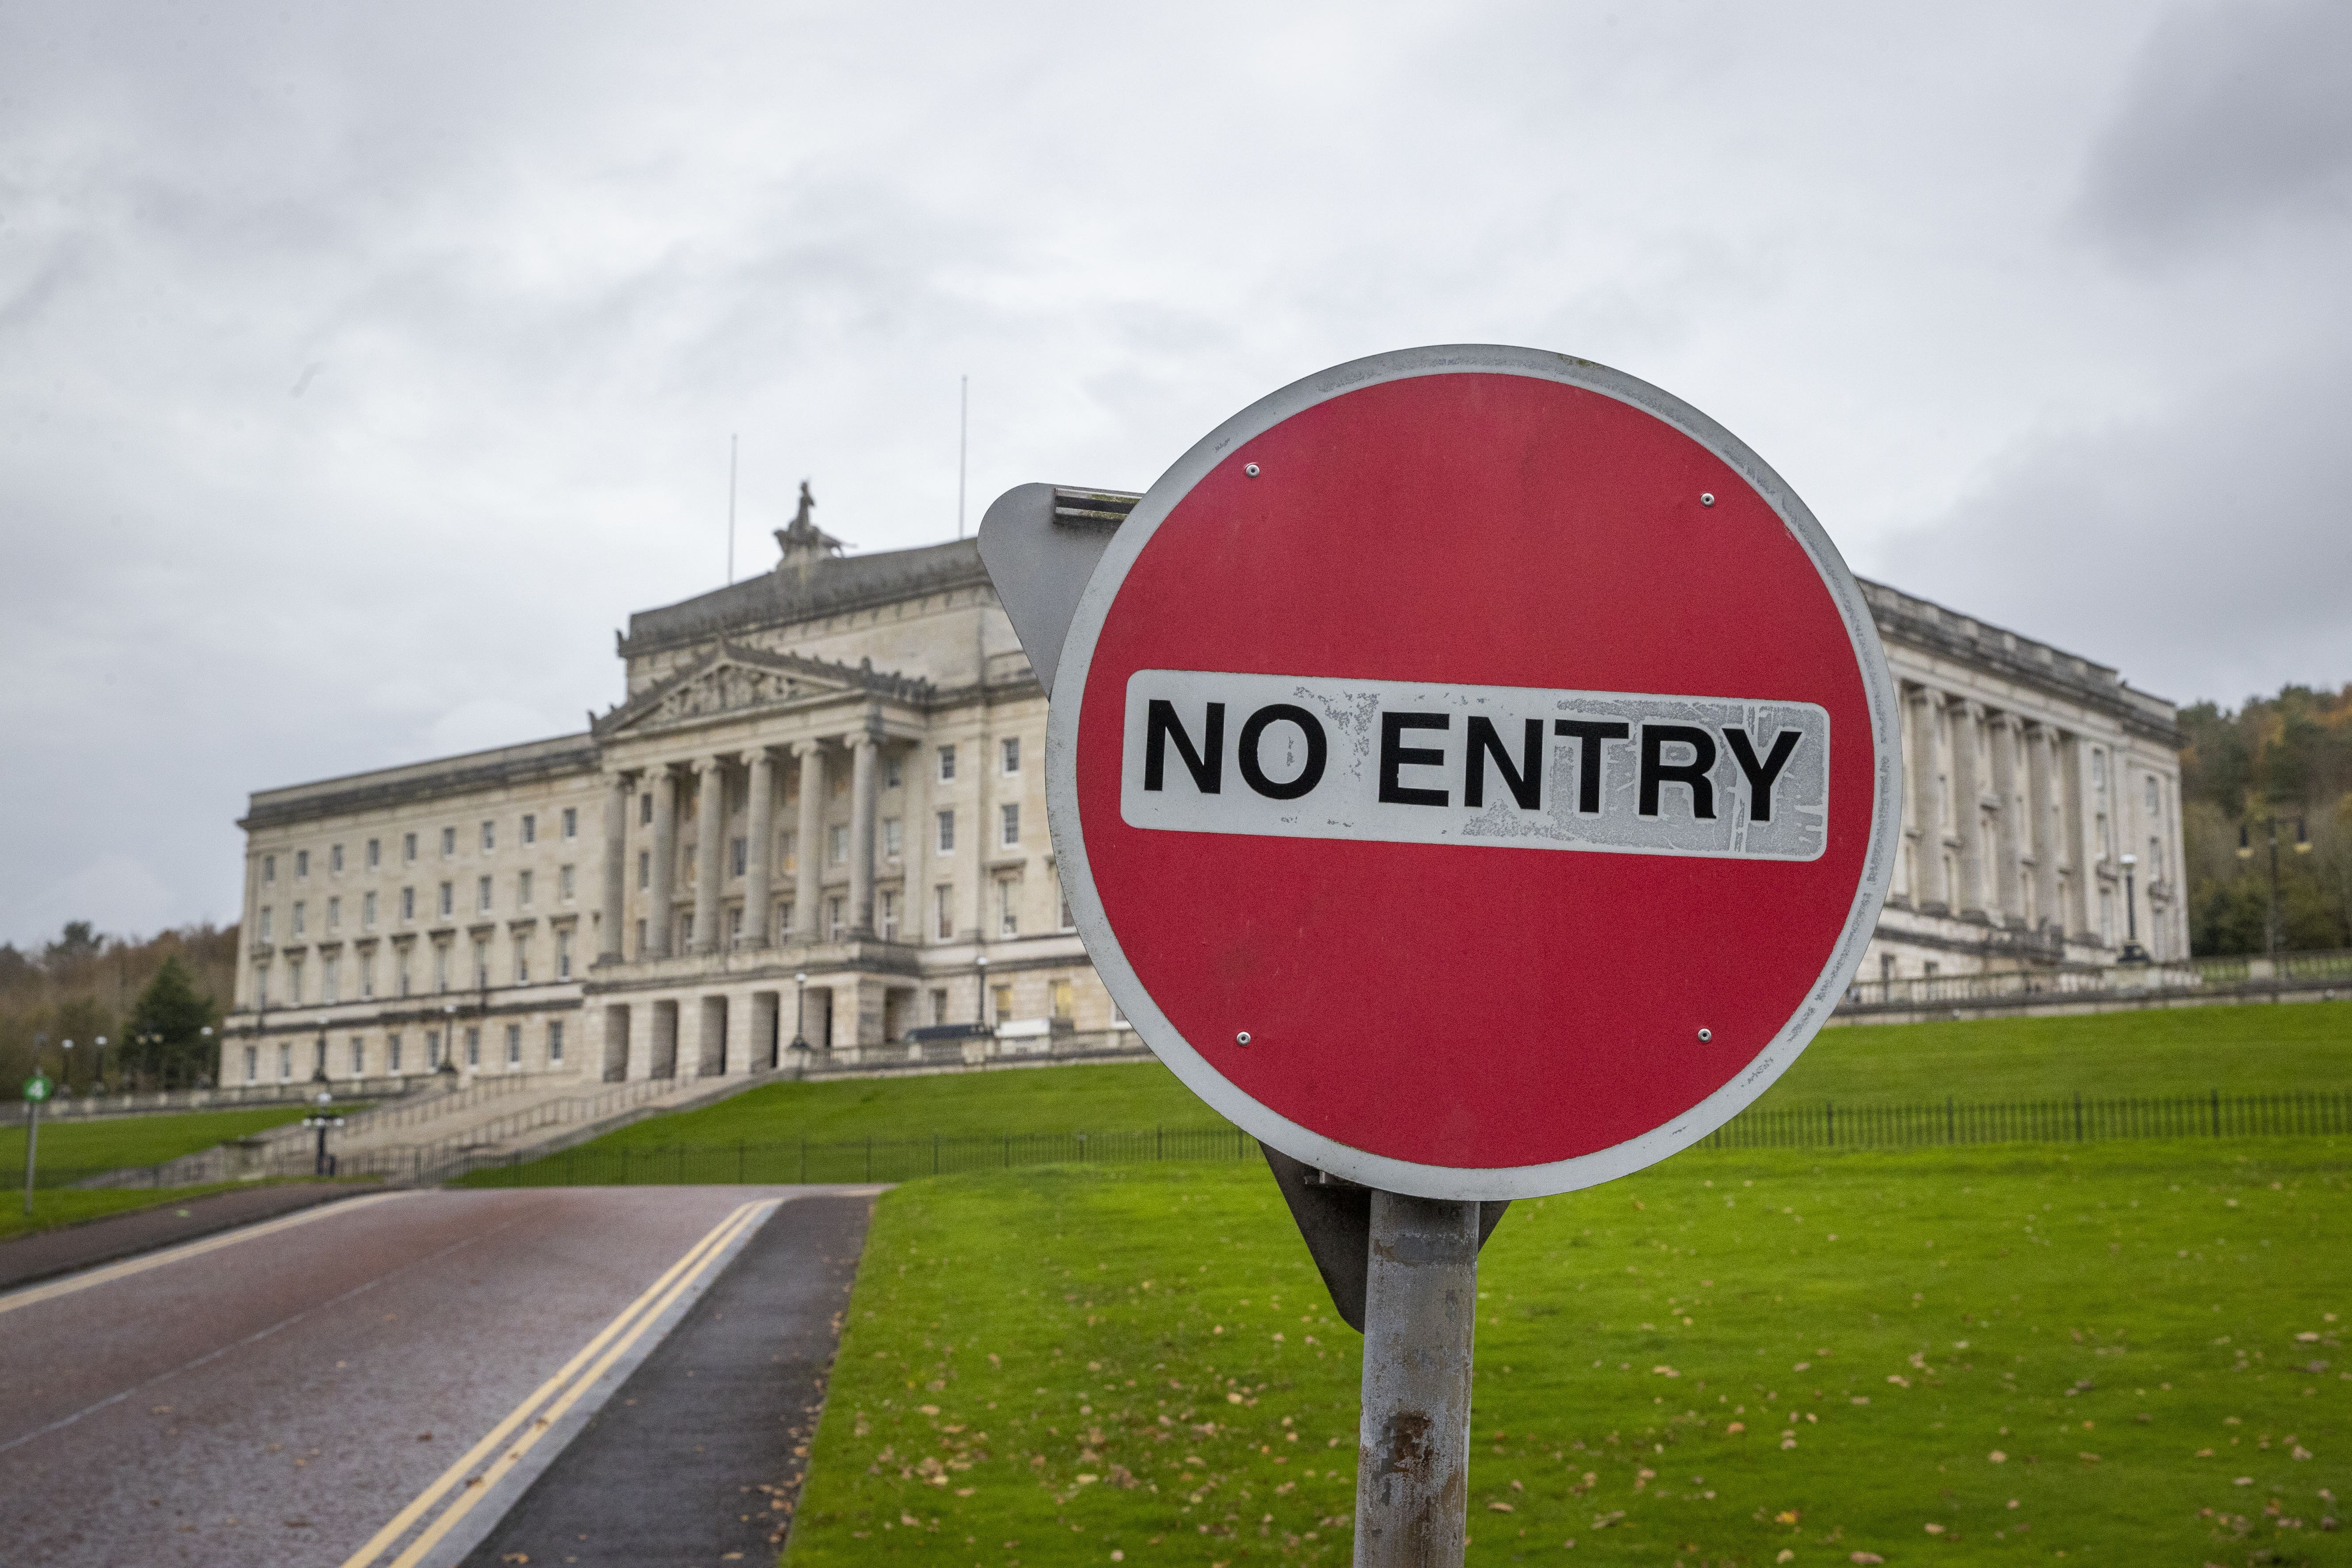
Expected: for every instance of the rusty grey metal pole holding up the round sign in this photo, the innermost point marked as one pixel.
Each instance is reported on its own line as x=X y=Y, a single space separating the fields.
x=1412 y=1473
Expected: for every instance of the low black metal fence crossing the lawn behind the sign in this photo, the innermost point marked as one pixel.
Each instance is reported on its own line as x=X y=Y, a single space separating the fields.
x=1798 y=1127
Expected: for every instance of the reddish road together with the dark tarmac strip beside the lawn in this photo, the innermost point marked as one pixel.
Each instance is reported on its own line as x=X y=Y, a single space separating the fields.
x=406 y=1381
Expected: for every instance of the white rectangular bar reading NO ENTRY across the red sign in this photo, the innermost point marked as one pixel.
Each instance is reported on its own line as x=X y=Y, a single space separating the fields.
x=1511 y=768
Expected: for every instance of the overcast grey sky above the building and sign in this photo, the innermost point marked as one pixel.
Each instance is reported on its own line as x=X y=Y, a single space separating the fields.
x=361 y=368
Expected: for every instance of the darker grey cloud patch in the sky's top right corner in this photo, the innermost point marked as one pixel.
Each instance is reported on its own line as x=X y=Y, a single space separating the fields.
x=2238 y=116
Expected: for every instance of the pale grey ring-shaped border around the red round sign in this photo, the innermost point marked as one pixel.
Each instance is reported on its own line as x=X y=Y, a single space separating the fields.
x=1285 y=1134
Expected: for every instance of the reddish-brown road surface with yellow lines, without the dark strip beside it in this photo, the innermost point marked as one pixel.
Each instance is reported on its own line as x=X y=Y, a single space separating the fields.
x=370 y=1381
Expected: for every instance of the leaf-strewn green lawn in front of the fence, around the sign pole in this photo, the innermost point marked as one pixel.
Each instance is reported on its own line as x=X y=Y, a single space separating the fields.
x=2118 y=1353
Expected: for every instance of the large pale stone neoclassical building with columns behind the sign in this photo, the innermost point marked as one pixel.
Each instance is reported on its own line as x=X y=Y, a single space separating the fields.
x=820 y=815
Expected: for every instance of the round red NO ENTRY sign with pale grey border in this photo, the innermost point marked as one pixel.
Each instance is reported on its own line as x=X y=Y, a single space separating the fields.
x=1474 y=772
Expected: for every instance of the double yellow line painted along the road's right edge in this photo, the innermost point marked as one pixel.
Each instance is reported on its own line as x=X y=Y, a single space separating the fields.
x=486 y=1463
